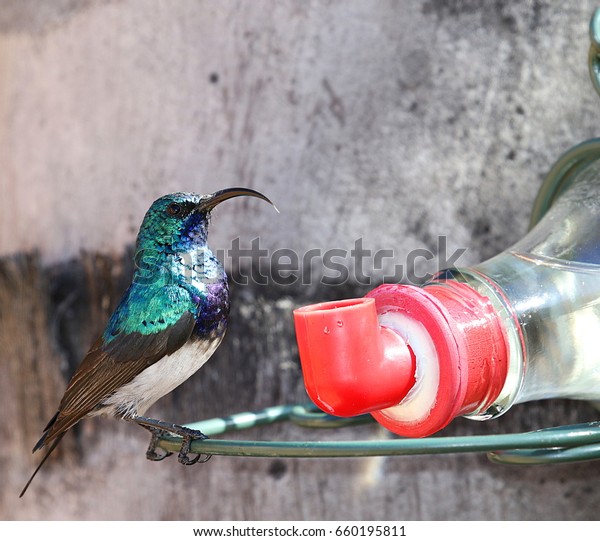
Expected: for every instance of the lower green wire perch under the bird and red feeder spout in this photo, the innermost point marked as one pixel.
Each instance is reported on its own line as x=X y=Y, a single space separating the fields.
x=547 y=446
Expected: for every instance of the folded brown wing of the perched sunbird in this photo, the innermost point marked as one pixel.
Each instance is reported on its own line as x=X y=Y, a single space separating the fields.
x=107 y=367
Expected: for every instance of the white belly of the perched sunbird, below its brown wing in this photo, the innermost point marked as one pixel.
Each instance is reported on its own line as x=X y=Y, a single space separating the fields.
x=157 y=380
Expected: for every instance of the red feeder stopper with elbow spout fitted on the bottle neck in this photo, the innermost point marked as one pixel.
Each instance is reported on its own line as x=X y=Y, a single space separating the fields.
x=415 y=358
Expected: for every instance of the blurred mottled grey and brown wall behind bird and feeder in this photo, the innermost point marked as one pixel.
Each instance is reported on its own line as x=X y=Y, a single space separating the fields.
x=394 y=122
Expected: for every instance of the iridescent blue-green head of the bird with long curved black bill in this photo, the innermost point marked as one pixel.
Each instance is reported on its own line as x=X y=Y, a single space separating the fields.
x=179 y=221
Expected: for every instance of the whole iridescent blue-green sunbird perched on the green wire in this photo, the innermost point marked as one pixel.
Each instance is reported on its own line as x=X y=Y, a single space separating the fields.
x=169 y=322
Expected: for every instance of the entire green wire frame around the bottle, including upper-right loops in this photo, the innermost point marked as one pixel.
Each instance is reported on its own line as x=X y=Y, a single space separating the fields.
x=571 y=443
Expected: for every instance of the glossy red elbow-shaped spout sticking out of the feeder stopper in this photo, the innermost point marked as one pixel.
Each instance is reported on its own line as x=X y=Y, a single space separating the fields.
x=351 y=364
